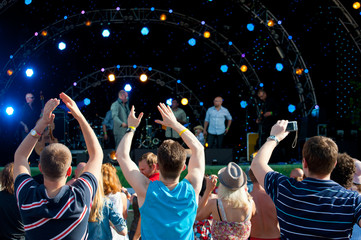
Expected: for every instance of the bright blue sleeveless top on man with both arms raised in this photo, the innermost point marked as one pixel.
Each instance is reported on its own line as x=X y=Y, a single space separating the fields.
x=168 y=214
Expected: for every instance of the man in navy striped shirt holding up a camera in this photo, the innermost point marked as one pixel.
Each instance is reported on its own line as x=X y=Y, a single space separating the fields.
x=316 y=207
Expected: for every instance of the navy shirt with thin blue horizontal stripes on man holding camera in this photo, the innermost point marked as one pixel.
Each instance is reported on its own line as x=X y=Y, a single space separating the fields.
x=313 y=208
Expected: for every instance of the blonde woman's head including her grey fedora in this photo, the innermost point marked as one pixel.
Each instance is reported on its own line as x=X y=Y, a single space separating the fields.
x=232 y=187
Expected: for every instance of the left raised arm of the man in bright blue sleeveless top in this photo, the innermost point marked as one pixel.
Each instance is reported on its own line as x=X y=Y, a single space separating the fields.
x=130 y=170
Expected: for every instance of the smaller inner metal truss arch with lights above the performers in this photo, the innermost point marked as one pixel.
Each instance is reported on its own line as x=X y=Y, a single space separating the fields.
x=163 y=79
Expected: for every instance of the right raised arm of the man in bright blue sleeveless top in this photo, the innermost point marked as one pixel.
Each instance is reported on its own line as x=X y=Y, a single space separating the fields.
x=197 y=160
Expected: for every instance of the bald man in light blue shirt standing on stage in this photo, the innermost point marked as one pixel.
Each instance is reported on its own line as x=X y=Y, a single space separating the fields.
x=215 y=122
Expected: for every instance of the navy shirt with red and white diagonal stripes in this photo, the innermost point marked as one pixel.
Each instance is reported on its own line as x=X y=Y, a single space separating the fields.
x=63 y=217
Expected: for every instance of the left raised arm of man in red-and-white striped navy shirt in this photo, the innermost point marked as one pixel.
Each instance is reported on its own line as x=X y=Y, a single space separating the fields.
x=23 y=152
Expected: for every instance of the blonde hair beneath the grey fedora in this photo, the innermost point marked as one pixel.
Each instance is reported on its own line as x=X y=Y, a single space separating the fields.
x=236 y=198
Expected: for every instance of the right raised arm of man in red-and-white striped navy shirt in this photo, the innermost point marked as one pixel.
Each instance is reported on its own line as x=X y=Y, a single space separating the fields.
x=95 y=151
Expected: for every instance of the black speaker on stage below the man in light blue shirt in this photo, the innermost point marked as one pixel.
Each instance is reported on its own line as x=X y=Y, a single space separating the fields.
x=219 y=156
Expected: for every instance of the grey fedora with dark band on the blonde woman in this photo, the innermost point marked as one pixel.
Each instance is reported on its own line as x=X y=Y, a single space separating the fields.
x=232 y=176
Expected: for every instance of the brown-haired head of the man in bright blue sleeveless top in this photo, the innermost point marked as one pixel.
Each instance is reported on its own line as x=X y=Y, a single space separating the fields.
x=171 y=159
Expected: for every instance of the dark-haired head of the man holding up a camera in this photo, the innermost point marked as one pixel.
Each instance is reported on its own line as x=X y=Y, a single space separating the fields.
x=320 y=155
